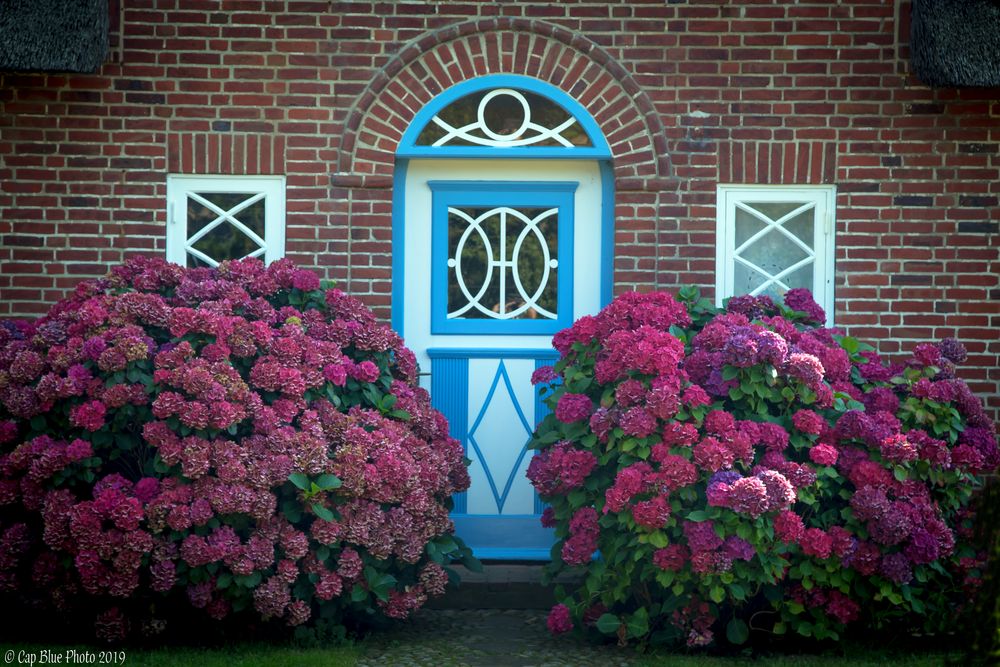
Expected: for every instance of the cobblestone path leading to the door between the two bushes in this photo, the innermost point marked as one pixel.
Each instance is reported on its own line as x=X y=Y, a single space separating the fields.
x=485 y=638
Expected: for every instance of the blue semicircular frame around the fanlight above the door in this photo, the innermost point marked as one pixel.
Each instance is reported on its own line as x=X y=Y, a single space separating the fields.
x=599 y=151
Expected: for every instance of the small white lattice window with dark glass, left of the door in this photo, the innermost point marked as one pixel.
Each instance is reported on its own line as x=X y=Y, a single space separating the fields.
x=214 y=218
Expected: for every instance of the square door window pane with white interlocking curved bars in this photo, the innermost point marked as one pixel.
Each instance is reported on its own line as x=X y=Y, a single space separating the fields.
x=502 y=263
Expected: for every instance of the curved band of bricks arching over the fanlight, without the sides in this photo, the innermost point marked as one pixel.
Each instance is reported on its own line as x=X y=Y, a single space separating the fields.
x=439 y=59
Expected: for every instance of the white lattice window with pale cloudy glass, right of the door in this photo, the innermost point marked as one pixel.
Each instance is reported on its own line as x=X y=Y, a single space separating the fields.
x=771 y=239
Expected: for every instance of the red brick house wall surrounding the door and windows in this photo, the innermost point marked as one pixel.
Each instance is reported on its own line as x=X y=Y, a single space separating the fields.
x=689 y=94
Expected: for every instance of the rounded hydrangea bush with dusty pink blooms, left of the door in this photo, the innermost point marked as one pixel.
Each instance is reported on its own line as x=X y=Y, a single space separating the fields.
x=237 y=437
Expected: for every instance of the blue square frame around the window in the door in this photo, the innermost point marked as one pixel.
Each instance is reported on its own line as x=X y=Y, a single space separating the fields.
x=536 y=194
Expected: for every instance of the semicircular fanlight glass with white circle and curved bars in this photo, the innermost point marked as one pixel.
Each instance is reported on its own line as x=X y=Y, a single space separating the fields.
x=501 y=117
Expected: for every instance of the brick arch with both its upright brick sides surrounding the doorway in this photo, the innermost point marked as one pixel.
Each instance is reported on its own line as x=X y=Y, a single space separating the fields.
x=645 y=185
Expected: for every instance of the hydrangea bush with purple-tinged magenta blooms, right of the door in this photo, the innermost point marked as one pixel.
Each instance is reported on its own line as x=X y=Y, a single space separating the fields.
x=704 y=466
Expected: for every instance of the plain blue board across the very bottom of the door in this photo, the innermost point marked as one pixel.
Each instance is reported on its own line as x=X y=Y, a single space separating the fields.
x=512 y=536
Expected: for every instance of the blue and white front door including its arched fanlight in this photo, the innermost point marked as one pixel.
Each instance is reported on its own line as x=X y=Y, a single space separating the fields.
x=502 y=236
